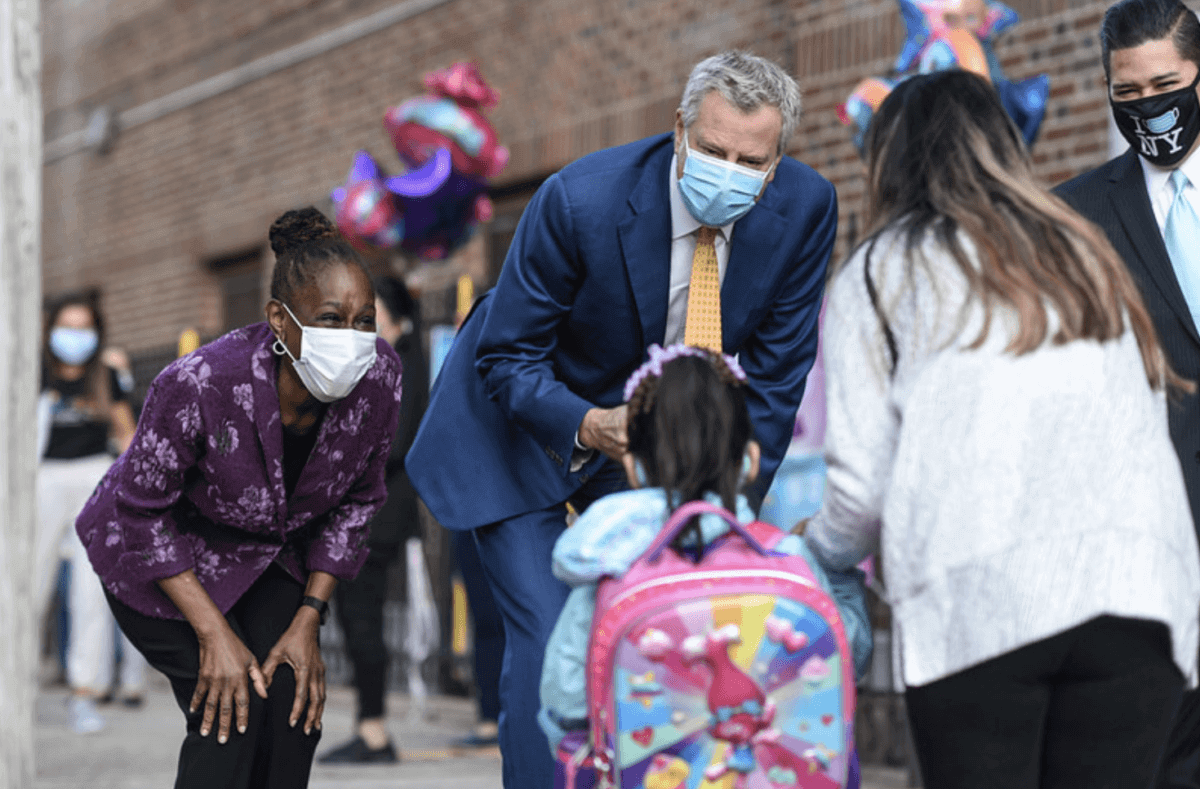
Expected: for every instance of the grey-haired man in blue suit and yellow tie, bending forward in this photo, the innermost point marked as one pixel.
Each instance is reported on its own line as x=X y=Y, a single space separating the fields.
x=527 y=412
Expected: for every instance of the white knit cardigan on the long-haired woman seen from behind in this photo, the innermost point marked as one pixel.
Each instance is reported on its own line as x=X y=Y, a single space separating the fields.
x=1013 y=497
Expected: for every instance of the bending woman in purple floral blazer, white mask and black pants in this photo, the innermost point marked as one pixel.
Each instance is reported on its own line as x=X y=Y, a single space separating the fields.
x=247 y=493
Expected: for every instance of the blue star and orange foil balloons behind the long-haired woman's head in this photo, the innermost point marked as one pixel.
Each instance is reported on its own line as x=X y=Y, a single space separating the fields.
x=952 y=34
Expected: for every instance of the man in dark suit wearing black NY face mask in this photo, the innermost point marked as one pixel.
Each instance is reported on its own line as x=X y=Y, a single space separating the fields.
x=1147 y=201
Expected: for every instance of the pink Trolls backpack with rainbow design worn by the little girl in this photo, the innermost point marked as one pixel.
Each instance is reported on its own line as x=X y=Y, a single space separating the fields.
x=730 y=673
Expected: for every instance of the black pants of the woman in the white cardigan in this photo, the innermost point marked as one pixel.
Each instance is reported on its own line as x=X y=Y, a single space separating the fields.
x=1090 y=708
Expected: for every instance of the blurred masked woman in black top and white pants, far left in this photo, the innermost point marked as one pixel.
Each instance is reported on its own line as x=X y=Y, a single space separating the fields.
x=83 y=418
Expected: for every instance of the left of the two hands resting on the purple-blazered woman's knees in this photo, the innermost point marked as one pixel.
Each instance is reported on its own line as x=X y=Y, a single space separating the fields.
x=223 y=685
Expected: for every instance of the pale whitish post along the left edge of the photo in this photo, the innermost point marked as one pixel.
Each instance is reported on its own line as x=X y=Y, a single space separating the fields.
x=21 y=226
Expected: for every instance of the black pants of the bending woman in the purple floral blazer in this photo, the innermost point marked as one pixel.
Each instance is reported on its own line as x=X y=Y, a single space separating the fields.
x=272 y=755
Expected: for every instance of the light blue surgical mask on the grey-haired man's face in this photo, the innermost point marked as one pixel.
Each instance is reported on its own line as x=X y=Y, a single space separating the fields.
x=718 y=192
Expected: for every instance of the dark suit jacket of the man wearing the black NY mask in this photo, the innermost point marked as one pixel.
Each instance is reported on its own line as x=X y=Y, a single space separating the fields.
x=1114 y=197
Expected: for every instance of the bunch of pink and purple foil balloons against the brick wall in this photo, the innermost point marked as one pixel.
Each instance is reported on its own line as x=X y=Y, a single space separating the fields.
x=448 y=152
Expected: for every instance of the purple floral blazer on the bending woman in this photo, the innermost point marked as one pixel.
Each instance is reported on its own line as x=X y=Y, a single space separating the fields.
x=202 y=486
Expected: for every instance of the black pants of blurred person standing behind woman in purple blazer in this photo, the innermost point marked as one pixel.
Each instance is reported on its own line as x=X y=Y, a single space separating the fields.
x=361 y=615
